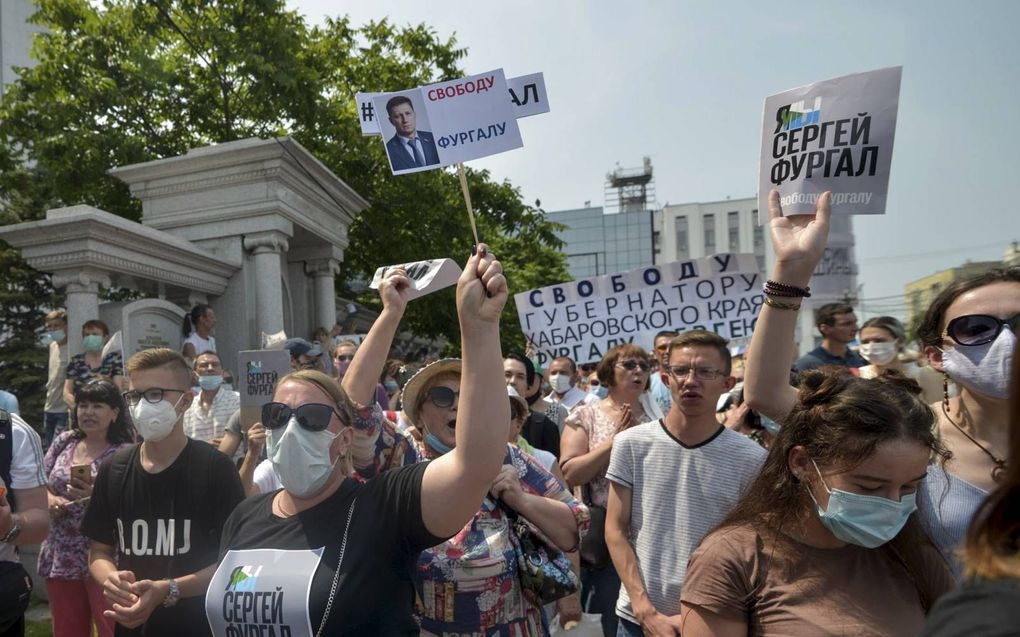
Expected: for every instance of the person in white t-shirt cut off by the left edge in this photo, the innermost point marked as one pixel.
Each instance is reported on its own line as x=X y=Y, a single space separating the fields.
x=27 y=523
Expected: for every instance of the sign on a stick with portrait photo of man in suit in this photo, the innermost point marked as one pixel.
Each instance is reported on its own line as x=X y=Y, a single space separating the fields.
x=448 y=123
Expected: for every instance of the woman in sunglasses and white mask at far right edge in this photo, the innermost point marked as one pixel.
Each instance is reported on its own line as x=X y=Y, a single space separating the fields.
x=968 y=336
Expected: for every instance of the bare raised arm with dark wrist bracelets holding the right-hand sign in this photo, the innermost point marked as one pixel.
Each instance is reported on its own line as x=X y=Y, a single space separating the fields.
x=799 y=242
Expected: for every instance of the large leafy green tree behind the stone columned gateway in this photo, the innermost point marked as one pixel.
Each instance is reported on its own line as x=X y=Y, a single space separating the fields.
x=121 y=82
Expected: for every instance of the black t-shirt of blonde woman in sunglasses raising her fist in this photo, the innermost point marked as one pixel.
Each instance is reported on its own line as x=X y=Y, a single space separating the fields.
x=376 y=593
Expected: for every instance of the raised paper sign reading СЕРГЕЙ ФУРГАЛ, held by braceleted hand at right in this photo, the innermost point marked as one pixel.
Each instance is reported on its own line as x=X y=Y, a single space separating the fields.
x=834 y=136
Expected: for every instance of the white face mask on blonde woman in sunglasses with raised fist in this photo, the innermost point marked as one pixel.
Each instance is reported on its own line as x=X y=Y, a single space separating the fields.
x=301 y=458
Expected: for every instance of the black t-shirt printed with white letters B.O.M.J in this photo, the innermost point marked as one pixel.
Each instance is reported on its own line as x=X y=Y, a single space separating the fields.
x=167 y=524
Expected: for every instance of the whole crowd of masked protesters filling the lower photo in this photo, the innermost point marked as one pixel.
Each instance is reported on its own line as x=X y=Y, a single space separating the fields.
x=694 y=489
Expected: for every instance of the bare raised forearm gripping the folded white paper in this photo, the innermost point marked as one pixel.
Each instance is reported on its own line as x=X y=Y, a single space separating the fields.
x=363 y=377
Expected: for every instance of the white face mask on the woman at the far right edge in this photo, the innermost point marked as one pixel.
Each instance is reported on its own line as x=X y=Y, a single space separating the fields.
x=985 y=369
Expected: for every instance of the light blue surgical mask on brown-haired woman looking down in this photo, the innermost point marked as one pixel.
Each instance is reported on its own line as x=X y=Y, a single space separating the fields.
x=868 y=521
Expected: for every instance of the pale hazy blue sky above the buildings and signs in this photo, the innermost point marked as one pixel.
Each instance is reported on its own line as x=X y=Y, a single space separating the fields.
x=684 y=84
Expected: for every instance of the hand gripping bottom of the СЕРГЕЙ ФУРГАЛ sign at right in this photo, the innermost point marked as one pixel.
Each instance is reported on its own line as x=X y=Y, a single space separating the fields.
x=799 y=241
